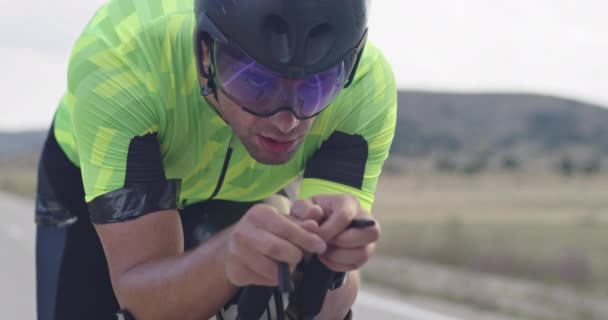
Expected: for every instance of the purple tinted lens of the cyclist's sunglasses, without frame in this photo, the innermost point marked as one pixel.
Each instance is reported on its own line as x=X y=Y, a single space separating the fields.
x=263 y=91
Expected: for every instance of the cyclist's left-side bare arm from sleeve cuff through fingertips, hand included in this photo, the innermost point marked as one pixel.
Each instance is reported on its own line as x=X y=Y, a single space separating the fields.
x=154 y=279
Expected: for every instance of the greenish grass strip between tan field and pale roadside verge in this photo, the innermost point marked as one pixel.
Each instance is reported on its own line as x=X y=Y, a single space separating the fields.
x=571 y=255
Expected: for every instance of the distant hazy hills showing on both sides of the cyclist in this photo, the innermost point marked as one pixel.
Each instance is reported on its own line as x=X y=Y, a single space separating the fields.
x=463 y=130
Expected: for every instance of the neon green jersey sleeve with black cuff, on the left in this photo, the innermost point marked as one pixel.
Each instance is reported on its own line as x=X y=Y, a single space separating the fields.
x=116 y=124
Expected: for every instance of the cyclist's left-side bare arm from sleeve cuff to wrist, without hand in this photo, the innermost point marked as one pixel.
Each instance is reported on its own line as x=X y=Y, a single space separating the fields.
x=152 y=276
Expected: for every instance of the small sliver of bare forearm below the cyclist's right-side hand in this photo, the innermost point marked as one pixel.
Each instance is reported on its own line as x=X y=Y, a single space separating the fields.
x=339 y=301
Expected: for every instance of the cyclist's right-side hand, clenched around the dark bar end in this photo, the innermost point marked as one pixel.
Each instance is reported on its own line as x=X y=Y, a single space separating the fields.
x=348 y=249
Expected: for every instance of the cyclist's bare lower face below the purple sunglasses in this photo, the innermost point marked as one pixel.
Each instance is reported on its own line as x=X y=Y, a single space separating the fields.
x=272 y=140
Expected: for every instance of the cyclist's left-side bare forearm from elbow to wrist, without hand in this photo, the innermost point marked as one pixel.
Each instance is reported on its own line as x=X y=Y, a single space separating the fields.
x=191 y=285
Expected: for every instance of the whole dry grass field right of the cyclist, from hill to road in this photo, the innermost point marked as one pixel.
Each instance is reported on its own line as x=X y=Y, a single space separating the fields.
x=548 y=232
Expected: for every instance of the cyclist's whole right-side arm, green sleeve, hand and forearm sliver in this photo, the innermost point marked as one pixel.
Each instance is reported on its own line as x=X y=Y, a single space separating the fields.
x=347 y=164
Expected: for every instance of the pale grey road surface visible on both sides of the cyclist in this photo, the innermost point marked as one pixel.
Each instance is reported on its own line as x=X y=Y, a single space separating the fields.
x=17 y=289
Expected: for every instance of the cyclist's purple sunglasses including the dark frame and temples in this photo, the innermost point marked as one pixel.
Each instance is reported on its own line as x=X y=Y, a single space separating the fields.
x=263 y=92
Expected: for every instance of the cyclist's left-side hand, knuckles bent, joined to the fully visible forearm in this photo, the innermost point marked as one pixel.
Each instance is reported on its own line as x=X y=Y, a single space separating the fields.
x=262 y=238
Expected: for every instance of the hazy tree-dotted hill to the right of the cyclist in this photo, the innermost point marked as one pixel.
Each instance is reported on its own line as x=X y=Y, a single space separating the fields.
x=448 y=123
